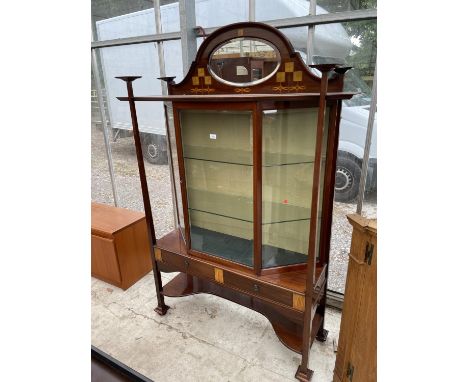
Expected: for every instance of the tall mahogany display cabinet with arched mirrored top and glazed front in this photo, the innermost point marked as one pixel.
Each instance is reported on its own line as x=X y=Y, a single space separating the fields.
x=252 y=141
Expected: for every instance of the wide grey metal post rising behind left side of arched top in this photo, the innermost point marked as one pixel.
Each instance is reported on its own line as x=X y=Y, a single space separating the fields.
x=187 y=32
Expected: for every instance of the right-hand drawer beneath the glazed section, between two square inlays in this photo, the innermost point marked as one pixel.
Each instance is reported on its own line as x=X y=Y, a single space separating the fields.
x=257 y=288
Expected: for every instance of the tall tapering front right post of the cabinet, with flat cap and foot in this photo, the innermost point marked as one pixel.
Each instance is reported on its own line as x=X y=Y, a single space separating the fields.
x=303 y=372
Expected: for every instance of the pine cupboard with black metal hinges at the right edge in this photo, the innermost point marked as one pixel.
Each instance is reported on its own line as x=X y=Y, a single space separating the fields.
x=356 y=360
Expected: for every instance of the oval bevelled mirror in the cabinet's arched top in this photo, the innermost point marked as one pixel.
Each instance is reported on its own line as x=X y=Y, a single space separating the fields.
x=244 y=61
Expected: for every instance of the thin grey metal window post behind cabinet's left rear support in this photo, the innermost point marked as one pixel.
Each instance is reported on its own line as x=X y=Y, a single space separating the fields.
x=162 y=73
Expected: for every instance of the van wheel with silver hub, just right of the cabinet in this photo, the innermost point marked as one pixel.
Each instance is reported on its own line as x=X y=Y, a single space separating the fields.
x=347 y=177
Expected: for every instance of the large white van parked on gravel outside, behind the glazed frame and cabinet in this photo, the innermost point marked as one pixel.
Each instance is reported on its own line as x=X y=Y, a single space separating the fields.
x=330 y=40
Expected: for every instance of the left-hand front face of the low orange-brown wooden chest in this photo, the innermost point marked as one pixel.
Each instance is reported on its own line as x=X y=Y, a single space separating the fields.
x=104 y=263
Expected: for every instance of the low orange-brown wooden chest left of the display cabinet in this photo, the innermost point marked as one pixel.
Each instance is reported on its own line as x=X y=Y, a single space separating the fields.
x=120 y=252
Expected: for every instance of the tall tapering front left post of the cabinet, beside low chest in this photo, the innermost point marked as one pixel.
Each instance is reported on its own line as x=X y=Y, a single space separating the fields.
x=162 y=308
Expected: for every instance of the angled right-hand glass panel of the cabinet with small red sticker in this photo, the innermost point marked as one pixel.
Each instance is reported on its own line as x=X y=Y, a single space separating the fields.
x=288 y=152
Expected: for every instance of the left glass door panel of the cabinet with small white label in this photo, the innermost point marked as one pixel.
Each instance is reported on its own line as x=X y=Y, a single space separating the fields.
x=217 y=147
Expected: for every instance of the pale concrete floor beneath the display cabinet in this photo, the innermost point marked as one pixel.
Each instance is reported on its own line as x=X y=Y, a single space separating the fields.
x=201 y=338
